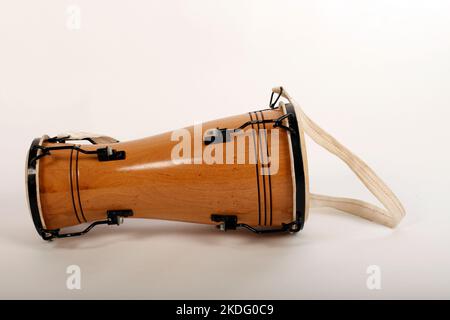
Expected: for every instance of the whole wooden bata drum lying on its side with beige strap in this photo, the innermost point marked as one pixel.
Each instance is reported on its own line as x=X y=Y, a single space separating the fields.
x=246 y=171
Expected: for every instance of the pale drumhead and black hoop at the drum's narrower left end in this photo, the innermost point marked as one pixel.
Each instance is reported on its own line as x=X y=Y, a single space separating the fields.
x=32 y=185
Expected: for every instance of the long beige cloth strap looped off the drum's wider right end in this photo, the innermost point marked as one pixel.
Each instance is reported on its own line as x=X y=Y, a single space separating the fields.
x=393 y=210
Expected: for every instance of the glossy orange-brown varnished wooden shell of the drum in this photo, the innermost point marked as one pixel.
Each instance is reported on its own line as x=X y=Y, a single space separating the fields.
x=76 y=187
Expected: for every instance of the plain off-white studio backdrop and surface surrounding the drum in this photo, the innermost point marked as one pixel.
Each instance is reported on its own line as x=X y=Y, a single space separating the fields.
x=375 y=74
